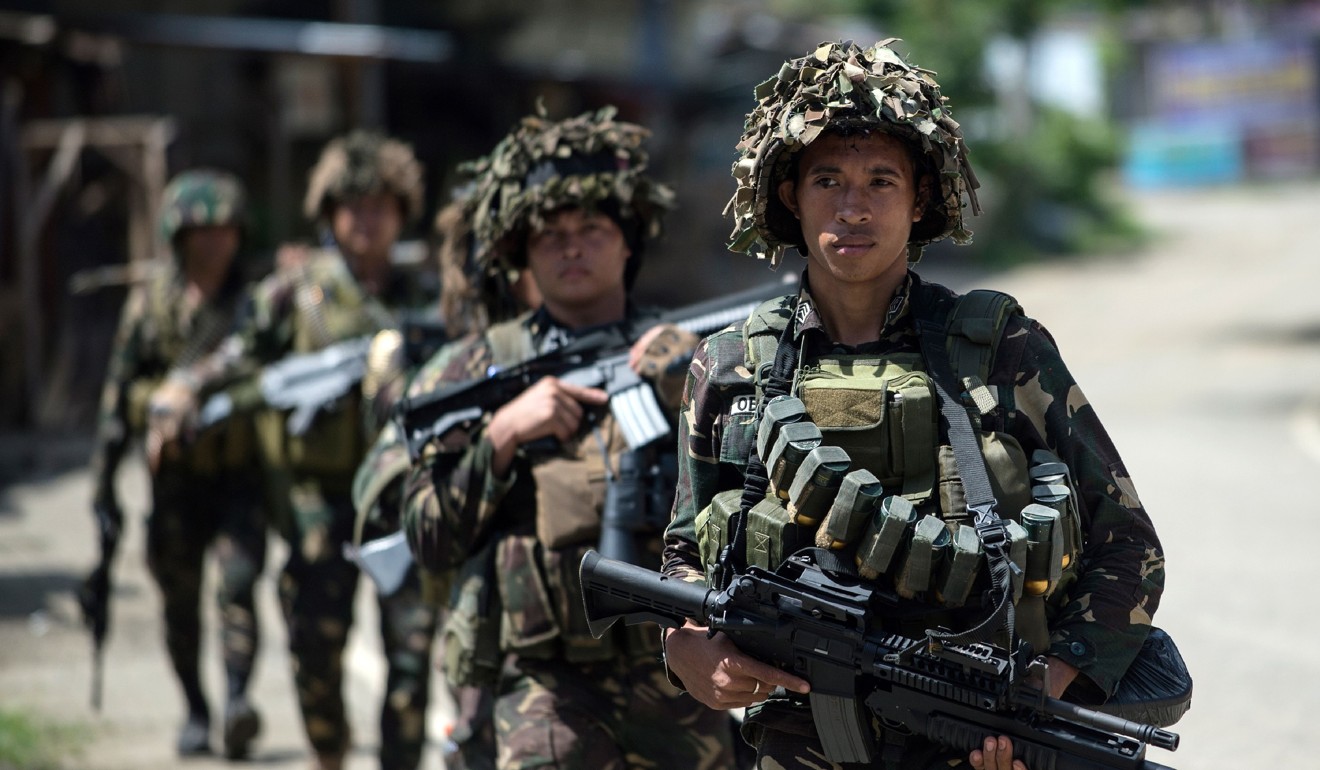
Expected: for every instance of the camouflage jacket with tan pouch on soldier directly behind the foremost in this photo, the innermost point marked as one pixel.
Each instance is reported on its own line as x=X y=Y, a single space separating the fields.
x=539 y=521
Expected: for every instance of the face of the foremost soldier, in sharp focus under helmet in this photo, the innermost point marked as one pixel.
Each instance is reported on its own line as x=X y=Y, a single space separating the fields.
x=856 y=199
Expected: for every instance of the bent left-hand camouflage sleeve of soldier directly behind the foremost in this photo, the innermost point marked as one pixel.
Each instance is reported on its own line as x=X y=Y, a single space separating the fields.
x=452 y=496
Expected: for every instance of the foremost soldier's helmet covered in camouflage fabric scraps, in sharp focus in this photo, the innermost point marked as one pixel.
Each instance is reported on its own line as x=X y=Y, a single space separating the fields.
x=844 y=87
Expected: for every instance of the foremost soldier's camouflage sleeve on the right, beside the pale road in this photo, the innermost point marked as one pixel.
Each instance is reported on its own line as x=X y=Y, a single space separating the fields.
x=1109 y=608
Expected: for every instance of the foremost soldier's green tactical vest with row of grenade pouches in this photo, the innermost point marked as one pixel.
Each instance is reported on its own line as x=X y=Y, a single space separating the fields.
x=893 y=501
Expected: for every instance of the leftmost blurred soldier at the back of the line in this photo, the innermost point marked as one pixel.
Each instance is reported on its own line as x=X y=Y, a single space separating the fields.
x=203 y=495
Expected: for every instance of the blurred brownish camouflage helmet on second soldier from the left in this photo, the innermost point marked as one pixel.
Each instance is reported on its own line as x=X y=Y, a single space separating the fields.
x=361 y=164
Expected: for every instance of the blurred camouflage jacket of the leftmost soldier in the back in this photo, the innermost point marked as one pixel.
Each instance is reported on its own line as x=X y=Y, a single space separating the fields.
x=158 y=331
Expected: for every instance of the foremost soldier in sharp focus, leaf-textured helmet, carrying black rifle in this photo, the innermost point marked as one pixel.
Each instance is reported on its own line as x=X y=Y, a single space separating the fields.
x=853 y=159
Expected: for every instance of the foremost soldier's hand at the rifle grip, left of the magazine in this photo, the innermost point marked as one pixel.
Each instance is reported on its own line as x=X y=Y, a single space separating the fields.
x=719 y=674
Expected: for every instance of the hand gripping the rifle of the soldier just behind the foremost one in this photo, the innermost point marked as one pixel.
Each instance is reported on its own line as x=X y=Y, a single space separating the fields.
x=550 y=409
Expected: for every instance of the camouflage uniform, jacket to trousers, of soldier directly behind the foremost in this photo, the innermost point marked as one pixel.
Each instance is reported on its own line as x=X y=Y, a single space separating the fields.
x=564 y=699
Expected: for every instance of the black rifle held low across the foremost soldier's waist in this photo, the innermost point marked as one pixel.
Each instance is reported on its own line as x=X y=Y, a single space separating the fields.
x=816 y=625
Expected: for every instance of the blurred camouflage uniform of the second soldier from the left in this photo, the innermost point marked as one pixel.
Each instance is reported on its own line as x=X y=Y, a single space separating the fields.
x=308 y=481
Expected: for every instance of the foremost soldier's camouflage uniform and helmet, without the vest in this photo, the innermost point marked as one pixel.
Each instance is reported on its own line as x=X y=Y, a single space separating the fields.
x=1107 y=613
